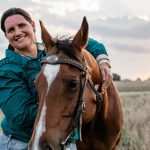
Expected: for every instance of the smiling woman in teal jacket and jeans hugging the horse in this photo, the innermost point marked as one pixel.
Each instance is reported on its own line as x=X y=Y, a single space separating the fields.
x=18 y=70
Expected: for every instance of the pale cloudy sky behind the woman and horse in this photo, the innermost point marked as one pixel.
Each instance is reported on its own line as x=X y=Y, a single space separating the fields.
x=123 y=26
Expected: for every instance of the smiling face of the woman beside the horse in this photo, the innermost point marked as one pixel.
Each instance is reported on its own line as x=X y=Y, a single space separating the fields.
x=19 y=32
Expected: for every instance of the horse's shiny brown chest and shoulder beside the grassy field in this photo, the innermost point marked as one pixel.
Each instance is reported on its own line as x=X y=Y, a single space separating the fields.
x=107 y=123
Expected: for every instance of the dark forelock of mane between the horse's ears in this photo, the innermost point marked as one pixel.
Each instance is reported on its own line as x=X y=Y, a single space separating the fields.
x=64 y=44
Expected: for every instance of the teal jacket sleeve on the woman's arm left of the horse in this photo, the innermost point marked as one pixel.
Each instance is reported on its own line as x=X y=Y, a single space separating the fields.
x=16 y=102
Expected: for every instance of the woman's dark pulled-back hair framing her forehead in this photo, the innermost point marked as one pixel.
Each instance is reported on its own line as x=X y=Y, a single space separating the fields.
x=14 y=11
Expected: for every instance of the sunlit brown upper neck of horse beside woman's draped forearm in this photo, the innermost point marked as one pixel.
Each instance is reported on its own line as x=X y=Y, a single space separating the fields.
x=93 y=68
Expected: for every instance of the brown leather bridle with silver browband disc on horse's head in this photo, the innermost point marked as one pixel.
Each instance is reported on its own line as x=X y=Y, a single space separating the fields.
x=77 y=123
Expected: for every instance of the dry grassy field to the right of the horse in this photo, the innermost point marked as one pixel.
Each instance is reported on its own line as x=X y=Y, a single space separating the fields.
x=135 y=97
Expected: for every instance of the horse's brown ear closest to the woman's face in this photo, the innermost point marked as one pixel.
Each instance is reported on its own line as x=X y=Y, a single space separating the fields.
x=46 y=37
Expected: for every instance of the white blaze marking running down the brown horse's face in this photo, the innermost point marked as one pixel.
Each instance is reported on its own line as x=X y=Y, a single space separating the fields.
x=50 y=72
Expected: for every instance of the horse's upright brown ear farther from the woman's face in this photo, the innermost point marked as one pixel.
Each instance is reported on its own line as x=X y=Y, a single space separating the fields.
x=81 y=36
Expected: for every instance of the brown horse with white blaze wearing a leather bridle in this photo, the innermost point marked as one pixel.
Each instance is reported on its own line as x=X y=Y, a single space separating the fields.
x=69 y=101
